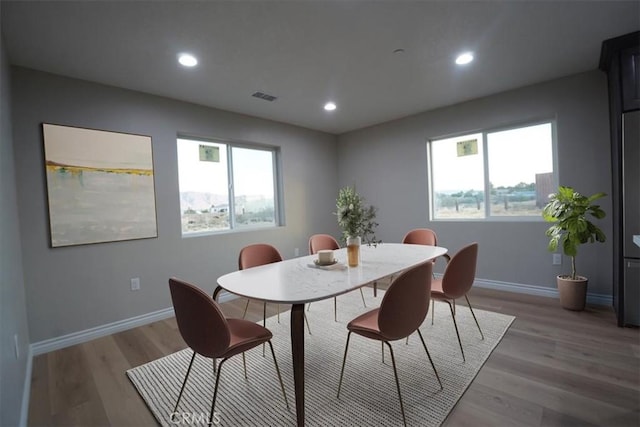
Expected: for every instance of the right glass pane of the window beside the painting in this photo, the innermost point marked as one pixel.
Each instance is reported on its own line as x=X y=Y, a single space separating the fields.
x=253 y=179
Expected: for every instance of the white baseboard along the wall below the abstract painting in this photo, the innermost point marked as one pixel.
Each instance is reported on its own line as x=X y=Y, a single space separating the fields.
x=79 y=337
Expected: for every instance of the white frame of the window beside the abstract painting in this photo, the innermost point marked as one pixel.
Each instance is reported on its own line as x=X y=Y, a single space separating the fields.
x=230 y=144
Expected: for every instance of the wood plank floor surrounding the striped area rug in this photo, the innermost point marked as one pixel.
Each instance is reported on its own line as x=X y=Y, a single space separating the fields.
x=554 y=367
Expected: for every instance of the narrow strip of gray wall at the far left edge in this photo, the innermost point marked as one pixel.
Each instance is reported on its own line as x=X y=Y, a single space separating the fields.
x=13 y=315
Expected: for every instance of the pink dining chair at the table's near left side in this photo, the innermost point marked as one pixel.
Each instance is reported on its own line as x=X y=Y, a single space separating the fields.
x=207 y=332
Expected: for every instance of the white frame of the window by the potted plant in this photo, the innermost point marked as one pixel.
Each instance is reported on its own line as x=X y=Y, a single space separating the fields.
x=485 y=162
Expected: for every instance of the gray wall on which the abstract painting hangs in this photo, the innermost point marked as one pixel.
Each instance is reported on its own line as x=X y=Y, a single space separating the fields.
x=72 y=289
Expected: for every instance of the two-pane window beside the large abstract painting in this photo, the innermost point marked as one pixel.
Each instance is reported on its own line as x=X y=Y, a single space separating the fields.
x=226 y=186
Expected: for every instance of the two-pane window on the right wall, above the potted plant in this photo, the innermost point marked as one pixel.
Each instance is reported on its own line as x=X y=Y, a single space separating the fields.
x=505 y=173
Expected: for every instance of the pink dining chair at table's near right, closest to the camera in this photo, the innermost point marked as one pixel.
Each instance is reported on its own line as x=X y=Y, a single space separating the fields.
x=402 y=310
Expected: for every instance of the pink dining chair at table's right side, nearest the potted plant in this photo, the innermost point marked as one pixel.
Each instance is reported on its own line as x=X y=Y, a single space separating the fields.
x=456 y=282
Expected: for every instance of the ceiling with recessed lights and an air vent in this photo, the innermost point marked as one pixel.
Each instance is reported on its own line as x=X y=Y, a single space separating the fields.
x=310 y=52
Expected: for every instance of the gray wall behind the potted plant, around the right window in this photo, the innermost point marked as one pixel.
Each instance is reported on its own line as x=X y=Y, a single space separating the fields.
x=388 y=163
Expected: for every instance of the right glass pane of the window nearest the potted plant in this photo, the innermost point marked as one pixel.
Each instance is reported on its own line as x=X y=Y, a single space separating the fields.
x=520 y=170
